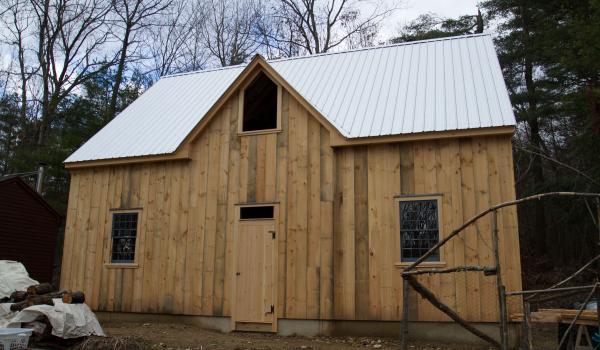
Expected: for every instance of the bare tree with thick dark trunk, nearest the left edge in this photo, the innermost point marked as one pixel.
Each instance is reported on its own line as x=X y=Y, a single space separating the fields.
x=70 y=37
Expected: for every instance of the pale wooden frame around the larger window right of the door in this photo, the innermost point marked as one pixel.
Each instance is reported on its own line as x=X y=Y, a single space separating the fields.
x=408 y=198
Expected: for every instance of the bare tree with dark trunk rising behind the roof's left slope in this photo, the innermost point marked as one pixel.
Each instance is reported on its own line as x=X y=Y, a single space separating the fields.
x=132 y=17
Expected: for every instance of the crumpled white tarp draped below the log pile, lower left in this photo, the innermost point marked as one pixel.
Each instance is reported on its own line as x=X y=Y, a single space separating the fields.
x=67 y=320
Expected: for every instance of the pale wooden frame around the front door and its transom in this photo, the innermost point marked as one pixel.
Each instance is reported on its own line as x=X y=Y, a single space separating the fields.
x=236 y=231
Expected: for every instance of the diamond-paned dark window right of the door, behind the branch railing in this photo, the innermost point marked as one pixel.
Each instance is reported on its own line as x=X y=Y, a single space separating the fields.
x=419 y=229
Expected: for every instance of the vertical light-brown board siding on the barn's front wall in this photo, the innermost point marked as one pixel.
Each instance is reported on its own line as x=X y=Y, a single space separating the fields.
x=337 y=234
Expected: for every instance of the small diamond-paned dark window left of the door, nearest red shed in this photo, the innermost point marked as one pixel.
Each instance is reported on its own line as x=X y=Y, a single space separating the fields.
x=124 y=233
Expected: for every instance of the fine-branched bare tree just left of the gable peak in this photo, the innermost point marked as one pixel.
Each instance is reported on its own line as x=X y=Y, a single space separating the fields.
x=228 y=29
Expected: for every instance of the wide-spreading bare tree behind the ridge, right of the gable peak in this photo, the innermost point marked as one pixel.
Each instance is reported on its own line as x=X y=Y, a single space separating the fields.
x=316 y=26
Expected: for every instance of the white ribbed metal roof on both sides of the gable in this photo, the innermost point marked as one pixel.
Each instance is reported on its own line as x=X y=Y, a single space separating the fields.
x=434 y=85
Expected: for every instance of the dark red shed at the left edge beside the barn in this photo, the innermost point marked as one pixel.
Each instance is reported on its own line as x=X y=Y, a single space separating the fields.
x=28 y=228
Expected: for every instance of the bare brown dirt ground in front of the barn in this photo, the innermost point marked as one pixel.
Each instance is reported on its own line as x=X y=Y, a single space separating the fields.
x=178 y=336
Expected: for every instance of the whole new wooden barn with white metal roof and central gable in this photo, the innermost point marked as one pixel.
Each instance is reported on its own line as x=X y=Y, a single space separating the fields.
x=287 y=195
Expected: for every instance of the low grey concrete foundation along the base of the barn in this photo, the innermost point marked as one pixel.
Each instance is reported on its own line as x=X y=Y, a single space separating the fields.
x=438 y=332
